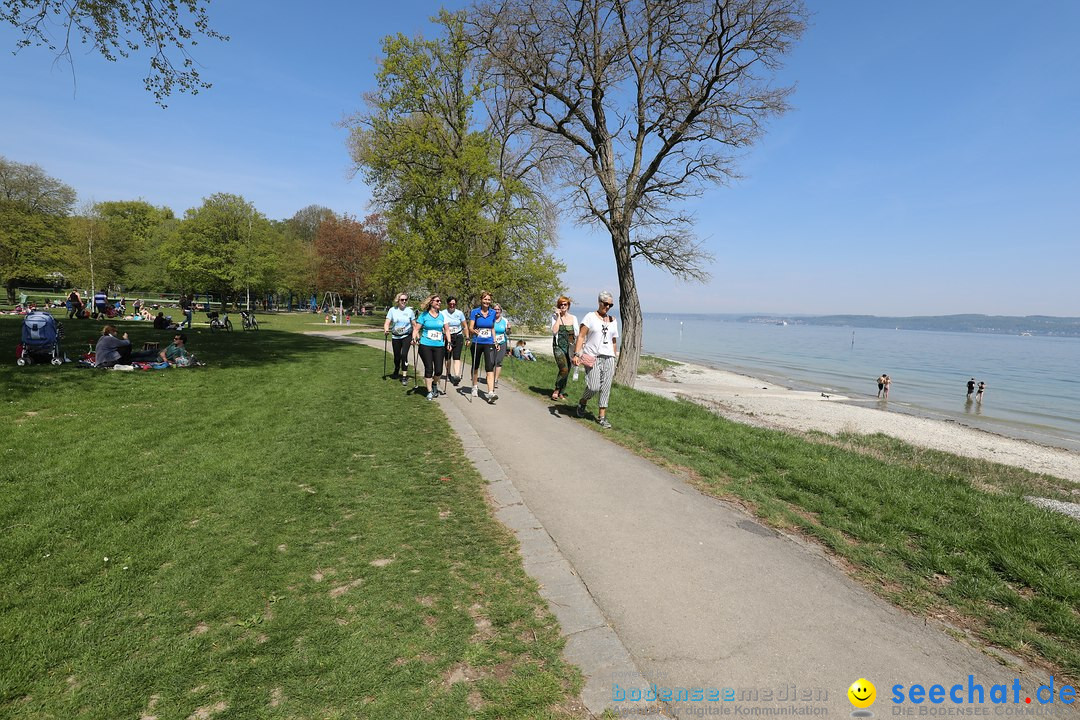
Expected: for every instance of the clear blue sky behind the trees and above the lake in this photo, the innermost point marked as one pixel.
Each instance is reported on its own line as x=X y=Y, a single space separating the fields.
x=929 y=166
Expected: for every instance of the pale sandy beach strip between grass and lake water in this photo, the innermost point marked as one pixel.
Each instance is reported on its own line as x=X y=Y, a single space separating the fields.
x=760 y=403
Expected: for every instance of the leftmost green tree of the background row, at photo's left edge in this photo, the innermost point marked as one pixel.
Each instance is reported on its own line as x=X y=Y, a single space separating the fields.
x=34 y=227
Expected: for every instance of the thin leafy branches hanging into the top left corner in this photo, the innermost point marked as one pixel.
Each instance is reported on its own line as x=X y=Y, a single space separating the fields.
x=167 y=30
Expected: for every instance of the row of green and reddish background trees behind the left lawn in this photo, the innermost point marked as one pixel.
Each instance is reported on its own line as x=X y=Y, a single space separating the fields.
x=224 y=247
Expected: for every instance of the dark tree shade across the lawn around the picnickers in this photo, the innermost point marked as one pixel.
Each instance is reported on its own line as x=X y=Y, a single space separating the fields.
x=219 y=349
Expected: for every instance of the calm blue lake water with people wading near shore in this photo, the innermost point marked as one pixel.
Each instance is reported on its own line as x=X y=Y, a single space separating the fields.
x=1033 y=388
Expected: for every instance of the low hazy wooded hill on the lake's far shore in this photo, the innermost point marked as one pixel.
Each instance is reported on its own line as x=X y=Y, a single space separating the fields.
x=1045 y=325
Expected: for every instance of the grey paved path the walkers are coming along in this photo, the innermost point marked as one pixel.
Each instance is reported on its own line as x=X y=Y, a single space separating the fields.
x=649 y=576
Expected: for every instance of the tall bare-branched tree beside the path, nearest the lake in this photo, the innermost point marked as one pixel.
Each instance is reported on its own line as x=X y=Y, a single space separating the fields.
x=641 y=103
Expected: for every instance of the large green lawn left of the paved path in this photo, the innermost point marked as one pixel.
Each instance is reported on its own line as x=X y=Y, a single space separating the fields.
x=279 y=535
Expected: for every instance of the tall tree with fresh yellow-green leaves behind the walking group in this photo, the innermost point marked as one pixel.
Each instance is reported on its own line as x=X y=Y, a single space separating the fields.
x=461 y=213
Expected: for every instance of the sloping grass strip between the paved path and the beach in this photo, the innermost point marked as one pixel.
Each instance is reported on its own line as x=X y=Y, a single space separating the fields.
x=936 y=534
